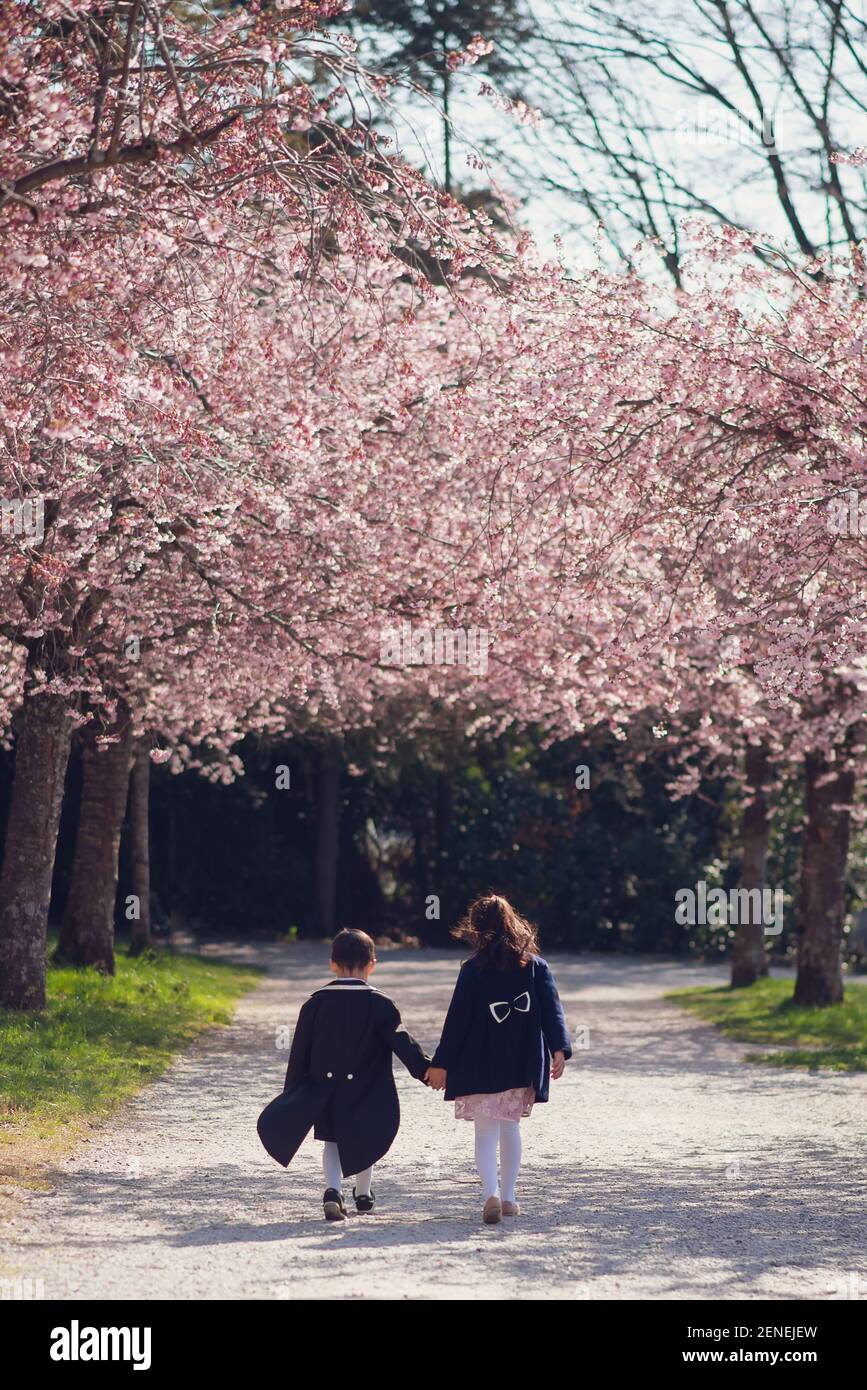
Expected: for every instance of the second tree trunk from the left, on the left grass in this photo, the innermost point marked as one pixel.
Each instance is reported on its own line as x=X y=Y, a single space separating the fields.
x=88 y=928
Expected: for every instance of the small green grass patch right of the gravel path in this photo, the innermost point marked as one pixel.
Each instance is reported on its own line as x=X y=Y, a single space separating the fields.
x=763 y=1013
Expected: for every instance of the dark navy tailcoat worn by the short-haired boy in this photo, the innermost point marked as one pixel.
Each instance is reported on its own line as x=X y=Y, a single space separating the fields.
x=340 y=1077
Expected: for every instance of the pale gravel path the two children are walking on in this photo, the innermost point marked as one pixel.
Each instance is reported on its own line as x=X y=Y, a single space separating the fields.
x=663 y=1168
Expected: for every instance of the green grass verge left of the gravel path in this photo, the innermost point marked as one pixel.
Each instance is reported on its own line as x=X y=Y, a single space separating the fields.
x=99 y=1042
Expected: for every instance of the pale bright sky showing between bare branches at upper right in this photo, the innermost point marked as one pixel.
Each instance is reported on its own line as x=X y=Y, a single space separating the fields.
x=705 y=147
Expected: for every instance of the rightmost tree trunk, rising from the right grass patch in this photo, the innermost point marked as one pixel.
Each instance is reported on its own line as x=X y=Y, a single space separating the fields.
x=823 y=868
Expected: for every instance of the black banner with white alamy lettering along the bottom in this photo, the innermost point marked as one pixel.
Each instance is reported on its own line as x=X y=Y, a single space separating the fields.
x=234 y=1341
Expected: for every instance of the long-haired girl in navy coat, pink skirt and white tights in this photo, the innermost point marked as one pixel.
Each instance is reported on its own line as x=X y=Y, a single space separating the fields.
x=504 y=1038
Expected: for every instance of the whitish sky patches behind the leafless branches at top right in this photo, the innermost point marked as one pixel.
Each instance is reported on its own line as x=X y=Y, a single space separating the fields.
x=720 y=155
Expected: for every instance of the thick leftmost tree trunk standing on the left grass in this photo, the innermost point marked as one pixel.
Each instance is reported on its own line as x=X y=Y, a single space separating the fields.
x=42 y=754
